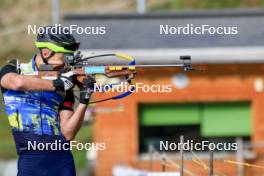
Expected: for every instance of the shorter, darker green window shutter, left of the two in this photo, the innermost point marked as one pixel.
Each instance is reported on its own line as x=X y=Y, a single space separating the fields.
x=169 y=114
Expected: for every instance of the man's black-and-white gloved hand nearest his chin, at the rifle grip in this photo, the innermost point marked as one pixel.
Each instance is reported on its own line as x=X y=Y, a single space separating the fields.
x=66 y=81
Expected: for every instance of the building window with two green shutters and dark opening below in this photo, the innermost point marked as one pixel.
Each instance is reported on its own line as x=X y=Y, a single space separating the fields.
x=214 y=122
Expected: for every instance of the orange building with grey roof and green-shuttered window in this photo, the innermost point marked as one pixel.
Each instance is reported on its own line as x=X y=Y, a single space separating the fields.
x=224 y=103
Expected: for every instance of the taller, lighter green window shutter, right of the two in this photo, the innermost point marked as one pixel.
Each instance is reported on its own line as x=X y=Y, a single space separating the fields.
x=226 y=119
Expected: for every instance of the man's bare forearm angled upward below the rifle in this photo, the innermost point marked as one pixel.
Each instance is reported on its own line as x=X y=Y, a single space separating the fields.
x=71 y=122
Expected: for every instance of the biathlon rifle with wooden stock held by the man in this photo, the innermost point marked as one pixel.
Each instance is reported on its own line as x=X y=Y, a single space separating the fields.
x=83 y=69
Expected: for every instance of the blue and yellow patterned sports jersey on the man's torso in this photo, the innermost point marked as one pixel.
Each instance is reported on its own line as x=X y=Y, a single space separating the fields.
x=34 y=116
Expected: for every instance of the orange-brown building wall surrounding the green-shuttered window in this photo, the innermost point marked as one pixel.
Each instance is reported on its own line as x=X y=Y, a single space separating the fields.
x=119 y=130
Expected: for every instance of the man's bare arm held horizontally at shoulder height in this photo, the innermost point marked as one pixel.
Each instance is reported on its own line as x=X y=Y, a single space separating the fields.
x=15 y=81
